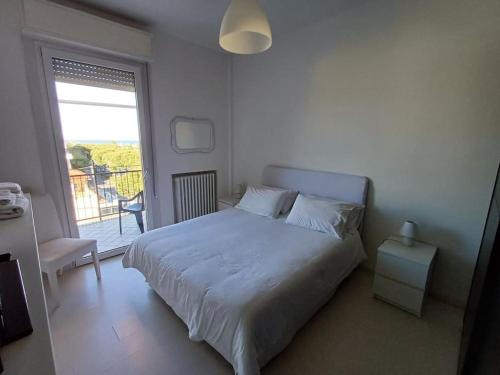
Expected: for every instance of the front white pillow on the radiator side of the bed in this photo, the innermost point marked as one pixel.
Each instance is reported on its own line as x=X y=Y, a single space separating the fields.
x=262 y=201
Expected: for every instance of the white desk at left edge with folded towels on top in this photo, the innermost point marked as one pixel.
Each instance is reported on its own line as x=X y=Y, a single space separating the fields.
x=32 y=354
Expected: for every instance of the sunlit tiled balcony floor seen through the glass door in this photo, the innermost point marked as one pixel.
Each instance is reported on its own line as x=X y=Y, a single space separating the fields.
x=107 y=232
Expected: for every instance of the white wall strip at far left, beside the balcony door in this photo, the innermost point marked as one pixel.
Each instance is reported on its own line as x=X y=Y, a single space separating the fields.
x=19 y=157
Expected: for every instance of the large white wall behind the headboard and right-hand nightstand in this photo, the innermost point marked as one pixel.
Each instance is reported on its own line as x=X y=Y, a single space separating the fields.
x=406 y=93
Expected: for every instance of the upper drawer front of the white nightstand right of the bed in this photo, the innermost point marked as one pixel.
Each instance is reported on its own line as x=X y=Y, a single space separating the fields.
x=400 y=269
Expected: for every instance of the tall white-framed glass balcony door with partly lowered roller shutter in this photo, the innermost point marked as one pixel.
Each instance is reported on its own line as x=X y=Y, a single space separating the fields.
x=101 y=136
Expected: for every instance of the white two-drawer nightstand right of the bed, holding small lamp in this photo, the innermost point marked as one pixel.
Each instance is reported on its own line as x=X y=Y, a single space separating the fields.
x=402 y=274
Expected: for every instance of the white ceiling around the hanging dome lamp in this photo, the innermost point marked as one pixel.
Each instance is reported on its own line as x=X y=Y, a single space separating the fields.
x=199 y=20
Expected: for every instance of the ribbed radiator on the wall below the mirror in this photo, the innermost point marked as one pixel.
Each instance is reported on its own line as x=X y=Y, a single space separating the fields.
x=195 y=194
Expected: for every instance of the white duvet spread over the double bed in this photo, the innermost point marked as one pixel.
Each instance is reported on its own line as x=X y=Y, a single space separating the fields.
x=242 y=282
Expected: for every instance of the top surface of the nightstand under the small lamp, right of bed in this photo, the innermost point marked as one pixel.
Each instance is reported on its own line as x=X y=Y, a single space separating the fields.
x=419 y=253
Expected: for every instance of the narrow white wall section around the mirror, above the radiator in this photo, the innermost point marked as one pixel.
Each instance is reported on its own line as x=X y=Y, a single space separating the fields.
x=187 y=80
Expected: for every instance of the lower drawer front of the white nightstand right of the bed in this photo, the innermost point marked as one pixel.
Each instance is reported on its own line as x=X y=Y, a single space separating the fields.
x=404 y=296
